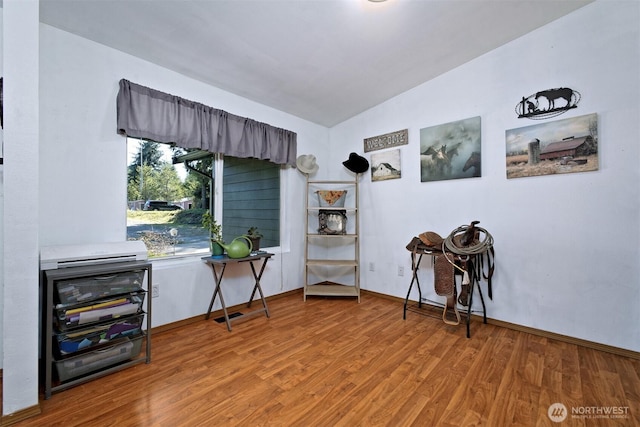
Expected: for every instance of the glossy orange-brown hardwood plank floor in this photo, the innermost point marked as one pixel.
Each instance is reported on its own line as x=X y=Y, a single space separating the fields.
x=334 y=362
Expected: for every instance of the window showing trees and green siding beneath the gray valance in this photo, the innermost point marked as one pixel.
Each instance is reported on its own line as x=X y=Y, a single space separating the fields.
x=166 y=200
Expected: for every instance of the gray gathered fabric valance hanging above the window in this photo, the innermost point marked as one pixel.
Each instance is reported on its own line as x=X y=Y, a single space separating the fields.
x=150 y=114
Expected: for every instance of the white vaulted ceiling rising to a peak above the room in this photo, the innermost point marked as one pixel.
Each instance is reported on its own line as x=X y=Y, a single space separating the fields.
x=321 y=60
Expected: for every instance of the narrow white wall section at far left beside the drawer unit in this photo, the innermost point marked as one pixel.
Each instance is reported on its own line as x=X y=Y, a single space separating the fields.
x=20 y=208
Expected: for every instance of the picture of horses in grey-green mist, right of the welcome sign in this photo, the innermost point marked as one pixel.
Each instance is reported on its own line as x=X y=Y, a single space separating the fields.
x=450 y=151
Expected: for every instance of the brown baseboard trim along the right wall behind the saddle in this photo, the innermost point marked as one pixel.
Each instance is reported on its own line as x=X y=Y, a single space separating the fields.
x=533 y=331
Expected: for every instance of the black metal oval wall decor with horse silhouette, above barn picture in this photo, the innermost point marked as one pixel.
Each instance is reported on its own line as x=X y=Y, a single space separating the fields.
x=547 y=103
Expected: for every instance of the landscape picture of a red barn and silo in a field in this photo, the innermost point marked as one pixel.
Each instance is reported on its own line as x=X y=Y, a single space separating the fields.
x=561 y=146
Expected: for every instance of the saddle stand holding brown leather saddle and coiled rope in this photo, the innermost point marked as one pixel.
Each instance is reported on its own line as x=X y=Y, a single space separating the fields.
x=467 y=252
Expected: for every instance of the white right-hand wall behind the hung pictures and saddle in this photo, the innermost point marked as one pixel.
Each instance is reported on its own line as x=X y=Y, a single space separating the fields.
x=567 y=245
